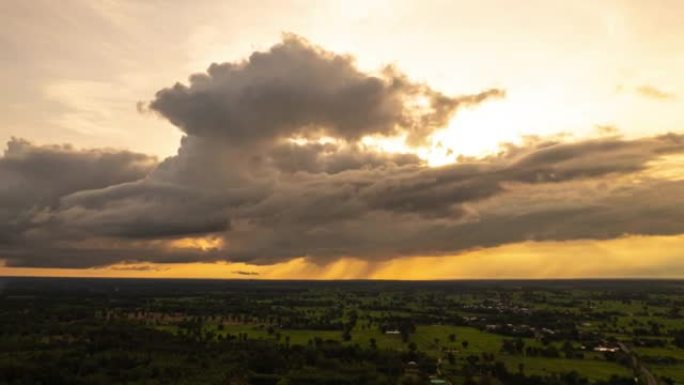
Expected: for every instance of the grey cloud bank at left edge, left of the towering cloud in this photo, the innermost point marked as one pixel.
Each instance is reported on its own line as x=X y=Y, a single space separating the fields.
x=34 y=178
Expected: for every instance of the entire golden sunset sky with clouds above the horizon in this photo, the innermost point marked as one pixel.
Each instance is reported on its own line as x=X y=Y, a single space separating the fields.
x=342 y=139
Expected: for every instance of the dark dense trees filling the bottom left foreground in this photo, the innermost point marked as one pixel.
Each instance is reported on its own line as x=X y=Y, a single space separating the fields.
x=128 y=353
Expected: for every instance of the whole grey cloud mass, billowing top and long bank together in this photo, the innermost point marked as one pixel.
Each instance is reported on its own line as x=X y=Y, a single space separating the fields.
x=273 y=167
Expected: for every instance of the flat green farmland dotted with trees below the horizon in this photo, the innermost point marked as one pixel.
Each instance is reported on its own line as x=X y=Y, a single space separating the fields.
x=128 y=331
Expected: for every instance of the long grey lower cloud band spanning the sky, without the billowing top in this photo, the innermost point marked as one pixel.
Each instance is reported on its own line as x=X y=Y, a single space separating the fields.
x=547 y=191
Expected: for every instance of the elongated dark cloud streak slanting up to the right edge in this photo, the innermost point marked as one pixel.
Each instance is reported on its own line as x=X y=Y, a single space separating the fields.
x=428 y=190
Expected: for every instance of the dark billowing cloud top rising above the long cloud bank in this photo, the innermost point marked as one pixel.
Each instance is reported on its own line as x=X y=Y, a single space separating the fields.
x=298 y=89
